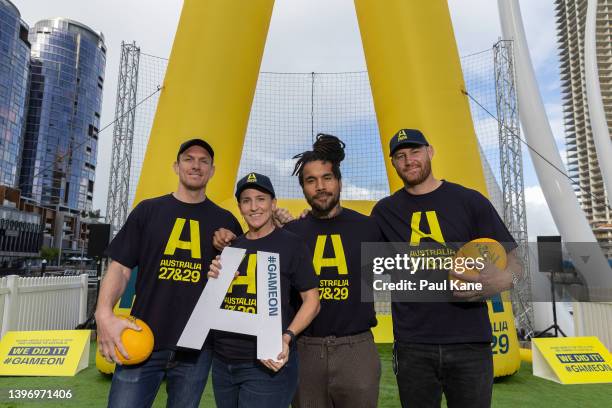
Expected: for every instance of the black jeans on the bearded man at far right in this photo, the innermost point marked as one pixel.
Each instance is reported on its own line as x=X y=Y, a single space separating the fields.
x=464 y=372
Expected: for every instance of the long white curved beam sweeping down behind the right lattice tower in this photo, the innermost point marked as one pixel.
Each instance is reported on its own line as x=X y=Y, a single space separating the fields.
x=567 y=214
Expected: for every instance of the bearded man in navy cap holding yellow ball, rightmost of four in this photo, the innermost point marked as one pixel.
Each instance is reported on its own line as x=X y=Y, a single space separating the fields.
x=442 y=347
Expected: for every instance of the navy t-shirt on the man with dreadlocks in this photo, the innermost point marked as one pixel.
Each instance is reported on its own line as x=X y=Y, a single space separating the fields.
x=336 y=247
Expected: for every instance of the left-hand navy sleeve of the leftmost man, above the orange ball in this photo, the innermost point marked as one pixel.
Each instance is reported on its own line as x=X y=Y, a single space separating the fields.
x=125 y=247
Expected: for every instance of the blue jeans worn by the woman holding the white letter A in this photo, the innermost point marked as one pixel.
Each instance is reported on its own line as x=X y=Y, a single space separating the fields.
x=252 y=385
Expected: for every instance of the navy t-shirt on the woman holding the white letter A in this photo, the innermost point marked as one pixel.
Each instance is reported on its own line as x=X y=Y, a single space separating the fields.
x=296 y=275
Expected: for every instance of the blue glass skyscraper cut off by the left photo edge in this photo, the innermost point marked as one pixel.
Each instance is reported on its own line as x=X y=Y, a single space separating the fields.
x=14 y=63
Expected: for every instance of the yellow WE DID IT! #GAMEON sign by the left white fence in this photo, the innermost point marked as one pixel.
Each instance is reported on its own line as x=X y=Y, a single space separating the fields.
x=54 y=353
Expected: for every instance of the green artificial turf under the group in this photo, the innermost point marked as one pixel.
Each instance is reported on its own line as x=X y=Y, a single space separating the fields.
x=90 y=388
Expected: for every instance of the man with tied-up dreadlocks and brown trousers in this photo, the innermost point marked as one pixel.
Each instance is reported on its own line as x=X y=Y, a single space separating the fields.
x=339 y=364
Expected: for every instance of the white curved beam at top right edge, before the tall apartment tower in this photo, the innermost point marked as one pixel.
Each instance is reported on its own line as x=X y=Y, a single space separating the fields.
x=597 y=115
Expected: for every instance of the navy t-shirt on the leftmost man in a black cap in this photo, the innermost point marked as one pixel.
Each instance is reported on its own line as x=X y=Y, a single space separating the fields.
x=171 y=243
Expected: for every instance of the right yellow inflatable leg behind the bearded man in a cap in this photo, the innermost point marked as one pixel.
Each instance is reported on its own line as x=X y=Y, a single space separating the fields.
x=416 y=80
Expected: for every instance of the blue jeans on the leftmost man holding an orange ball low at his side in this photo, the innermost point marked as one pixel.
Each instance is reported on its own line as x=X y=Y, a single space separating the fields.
x=186 y=375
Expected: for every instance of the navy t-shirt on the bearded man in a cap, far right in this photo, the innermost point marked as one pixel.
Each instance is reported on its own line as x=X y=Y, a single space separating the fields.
x=449 y=214
